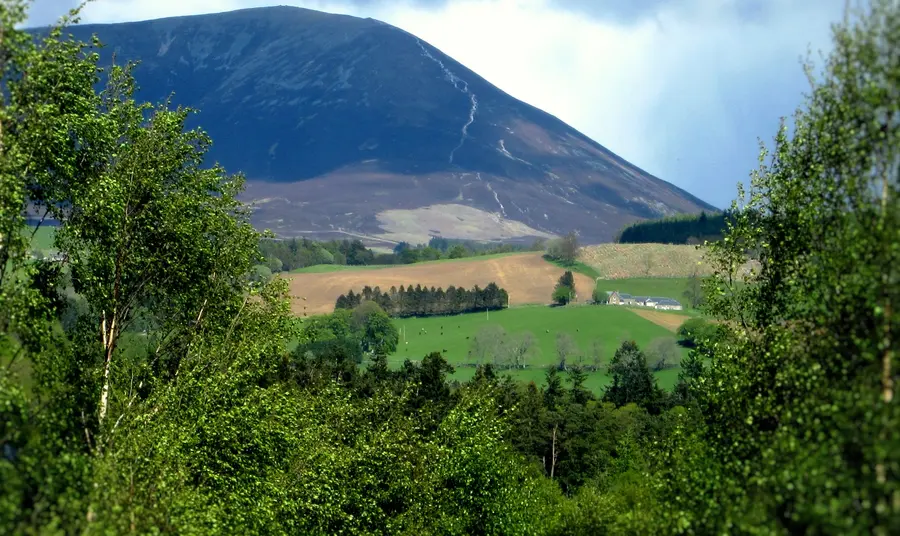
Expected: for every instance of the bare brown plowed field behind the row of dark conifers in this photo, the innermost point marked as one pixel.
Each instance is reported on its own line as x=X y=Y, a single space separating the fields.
x=526 y=277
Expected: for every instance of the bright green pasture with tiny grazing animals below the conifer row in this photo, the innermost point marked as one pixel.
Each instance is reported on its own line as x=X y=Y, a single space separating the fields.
x=611 y=325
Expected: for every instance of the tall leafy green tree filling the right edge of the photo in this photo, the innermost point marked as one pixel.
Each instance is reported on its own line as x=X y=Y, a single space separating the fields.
x=803 y=398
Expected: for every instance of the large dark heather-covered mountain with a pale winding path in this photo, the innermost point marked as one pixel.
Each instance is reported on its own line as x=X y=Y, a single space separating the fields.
x=351 y=126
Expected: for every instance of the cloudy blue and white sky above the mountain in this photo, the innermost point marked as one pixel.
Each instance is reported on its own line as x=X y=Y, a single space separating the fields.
x=682 y=88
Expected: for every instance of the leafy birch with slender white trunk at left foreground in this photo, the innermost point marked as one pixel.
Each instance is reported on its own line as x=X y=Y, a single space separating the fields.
x=150 y=226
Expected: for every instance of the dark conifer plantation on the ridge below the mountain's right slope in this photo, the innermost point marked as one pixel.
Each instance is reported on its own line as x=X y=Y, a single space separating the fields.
x=680 y=229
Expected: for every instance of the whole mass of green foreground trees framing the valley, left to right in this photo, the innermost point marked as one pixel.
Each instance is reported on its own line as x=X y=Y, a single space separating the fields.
x=169 y=401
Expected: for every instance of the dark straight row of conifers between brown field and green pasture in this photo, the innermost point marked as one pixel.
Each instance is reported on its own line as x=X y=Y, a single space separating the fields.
x=423 y=301
